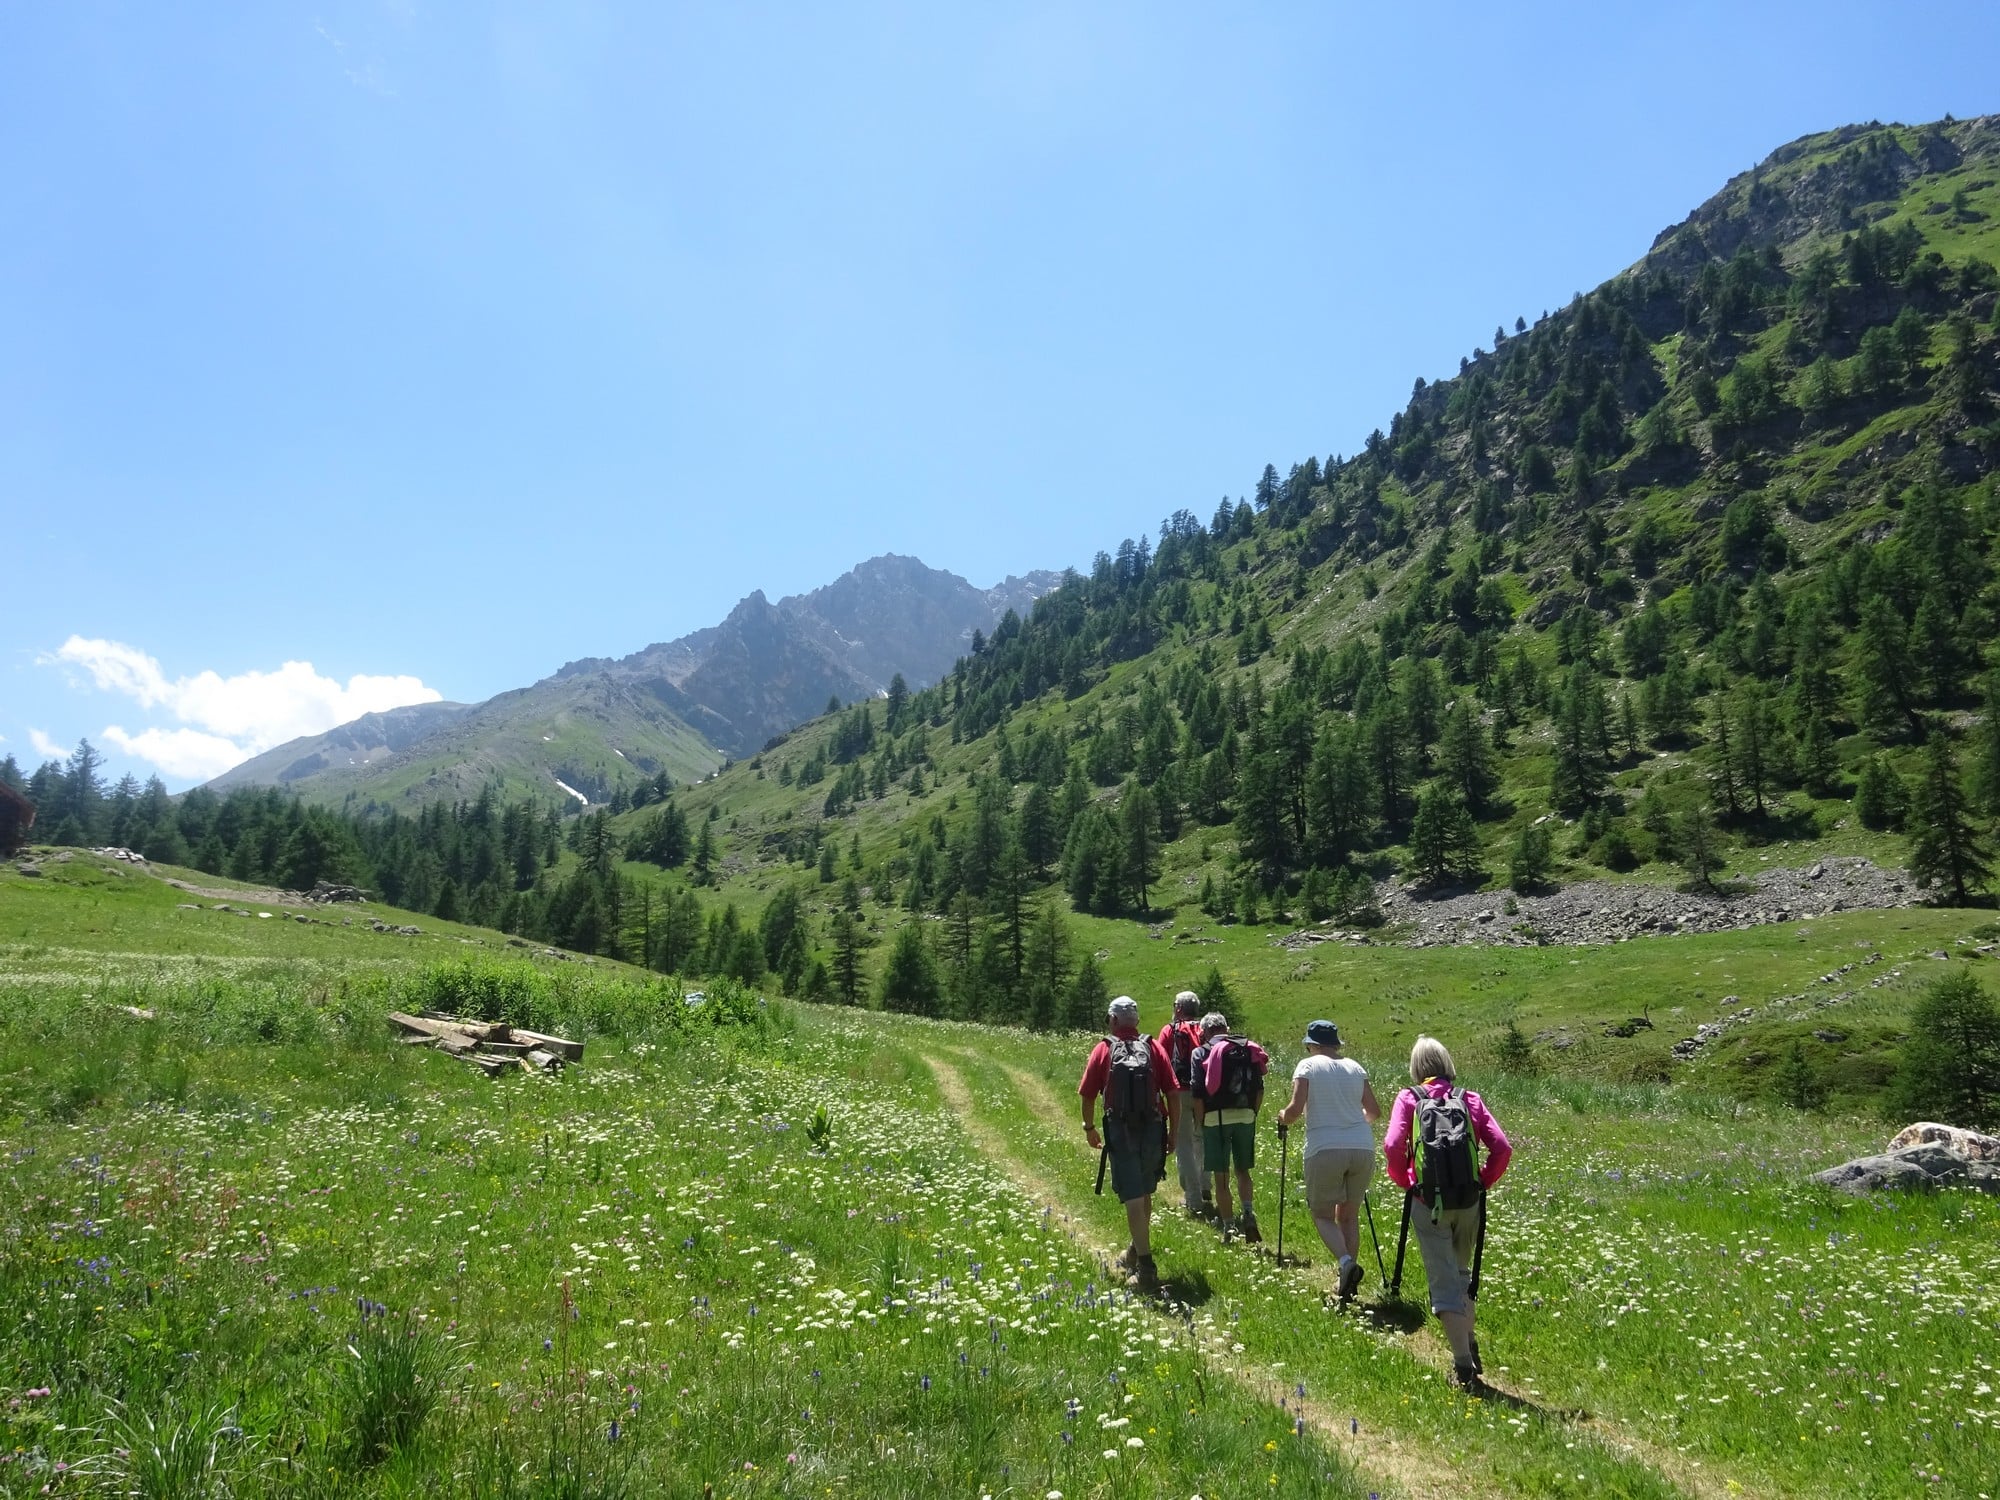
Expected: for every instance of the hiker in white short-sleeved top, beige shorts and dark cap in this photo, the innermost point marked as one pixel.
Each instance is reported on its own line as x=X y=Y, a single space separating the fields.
x=1335 y=1097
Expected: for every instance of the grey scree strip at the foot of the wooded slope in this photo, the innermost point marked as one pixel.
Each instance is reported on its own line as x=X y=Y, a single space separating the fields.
x=1597 y=911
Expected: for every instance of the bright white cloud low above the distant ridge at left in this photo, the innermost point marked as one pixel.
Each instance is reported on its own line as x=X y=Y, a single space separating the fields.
x=229 y=719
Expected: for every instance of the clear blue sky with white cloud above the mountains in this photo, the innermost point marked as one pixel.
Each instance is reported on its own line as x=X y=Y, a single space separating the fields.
x=363 y=351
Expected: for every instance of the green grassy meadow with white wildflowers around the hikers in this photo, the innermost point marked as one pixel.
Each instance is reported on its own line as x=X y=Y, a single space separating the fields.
x=251 y=1245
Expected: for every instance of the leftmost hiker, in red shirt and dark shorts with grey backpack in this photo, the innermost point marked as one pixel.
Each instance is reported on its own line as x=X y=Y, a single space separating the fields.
x=1141 y=1113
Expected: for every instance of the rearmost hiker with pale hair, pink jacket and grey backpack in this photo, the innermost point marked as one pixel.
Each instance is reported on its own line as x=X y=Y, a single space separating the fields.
x=1431 y=1151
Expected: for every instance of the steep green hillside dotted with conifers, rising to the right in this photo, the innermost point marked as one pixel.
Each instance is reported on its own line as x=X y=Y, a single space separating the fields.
x=1673 y=587
